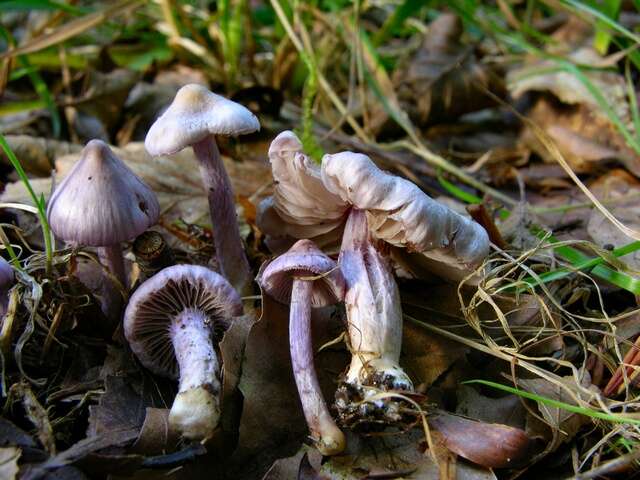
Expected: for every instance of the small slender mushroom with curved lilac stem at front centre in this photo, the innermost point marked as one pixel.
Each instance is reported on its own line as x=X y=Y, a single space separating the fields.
x=304 y=277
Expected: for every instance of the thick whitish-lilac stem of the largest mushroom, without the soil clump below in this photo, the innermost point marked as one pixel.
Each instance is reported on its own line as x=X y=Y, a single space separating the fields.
x=373 y=310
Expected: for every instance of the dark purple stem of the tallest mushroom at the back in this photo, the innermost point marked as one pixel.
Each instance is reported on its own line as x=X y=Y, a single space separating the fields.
x=230 y=255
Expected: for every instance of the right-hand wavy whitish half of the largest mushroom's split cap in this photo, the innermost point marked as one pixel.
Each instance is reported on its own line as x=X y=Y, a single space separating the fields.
x=401 y=214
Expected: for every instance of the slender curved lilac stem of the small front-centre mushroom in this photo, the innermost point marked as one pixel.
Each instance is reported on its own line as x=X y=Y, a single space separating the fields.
x=328 y=437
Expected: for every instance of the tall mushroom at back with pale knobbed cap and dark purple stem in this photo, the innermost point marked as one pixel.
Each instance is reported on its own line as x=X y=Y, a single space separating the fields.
x=193 y=119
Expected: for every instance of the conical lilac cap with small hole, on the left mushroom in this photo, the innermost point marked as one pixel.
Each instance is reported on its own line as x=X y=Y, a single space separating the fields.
x=101 y=202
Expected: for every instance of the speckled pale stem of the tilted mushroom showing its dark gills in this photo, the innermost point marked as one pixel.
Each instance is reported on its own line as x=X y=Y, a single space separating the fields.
x=195 y=411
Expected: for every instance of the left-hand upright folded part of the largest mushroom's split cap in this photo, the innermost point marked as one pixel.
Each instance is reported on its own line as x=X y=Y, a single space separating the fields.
x=302 y=207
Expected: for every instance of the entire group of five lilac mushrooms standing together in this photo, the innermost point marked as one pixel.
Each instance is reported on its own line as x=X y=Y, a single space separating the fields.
x=173 y=318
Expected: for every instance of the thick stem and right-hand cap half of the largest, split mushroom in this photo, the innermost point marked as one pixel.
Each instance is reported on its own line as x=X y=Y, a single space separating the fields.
x=386 y=208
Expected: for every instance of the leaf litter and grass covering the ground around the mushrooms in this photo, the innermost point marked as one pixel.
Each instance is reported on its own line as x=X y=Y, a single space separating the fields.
x=520 y=99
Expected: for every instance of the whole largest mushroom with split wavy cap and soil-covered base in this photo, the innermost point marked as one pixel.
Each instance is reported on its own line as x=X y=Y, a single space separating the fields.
x=381 y=211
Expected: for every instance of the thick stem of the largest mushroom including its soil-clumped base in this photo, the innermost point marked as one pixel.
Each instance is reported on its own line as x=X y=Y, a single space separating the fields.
x=375 y=329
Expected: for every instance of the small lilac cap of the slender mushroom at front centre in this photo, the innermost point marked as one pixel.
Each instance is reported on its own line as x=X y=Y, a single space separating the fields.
x=303 y=259
